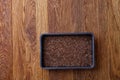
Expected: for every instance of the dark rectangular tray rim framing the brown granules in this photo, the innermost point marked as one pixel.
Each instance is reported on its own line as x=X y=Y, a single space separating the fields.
x=66 y=34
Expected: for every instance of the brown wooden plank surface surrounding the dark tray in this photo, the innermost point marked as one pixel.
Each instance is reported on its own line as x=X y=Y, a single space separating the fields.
x=22 y=22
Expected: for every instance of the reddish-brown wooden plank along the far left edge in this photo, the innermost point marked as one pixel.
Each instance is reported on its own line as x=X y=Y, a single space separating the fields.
x=6 y=40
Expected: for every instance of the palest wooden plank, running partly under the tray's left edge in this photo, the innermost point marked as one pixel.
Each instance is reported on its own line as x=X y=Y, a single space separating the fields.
x=41 y=27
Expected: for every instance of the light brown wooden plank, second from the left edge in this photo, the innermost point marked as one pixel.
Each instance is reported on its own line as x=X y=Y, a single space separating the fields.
x=18 y=41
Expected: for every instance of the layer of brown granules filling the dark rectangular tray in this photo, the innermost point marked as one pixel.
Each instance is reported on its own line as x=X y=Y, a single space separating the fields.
x=67 y=51
